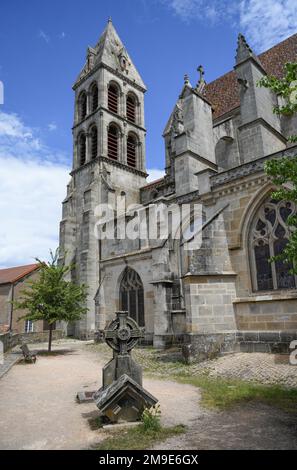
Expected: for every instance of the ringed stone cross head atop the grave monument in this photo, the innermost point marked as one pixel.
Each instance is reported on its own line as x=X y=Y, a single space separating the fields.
x=123 y=334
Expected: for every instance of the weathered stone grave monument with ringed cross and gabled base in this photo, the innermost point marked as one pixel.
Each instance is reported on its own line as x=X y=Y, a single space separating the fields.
x=122 y=397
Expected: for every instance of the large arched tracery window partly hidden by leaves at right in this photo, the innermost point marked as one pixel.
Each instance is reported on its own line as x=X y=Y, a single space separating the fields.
x=268 y=237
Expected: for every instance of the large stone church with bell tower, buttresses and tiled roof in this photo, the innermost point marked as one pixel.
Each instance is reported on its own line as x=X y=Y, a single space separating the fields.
x=224 y=294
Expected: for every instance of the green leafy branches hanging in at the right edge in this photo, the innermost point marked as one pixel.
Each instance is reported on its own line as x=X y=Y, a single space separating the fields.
x=284 y=171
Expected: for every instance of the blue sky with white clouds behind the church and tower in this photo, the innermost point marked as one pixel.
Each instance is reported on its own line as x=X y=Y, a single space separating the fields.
x=42 y=49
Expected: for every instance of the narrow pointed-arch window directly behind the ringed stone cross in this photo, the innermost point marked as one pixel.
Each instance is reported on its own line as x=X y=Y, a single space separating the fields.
x=131 y=295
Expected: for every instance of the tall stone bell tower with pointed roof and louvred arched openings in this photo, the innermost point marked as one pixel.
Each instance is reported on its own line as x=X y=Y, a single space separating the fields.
x=108 y=156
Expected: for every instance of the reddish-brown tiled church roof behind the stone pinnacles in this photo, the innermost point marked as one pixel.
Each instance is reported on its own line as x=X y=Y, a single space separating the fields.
x=223 y=93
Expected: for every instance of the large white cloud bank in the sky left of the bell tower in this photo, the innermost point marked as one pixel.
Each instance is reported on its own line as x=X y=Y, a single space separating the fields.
x=32 y=186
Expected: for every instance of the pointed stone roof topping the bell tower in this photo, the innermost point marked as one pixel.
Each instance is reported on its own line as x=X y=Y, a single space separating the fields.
x=111 y=52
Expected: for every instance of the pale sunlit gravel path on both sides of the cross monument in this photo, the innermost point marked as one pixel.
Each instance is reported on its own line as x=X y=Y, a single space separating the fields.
x=38 y=408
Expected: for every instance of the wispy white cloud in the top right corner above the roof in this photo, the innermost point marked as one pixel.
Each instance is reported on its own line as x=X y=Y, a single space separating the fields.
x=264 y=22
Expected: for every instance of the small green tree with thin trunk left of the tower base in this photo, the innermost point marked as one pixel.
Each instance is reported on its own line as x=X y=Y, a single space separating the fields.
x=51 y=297
